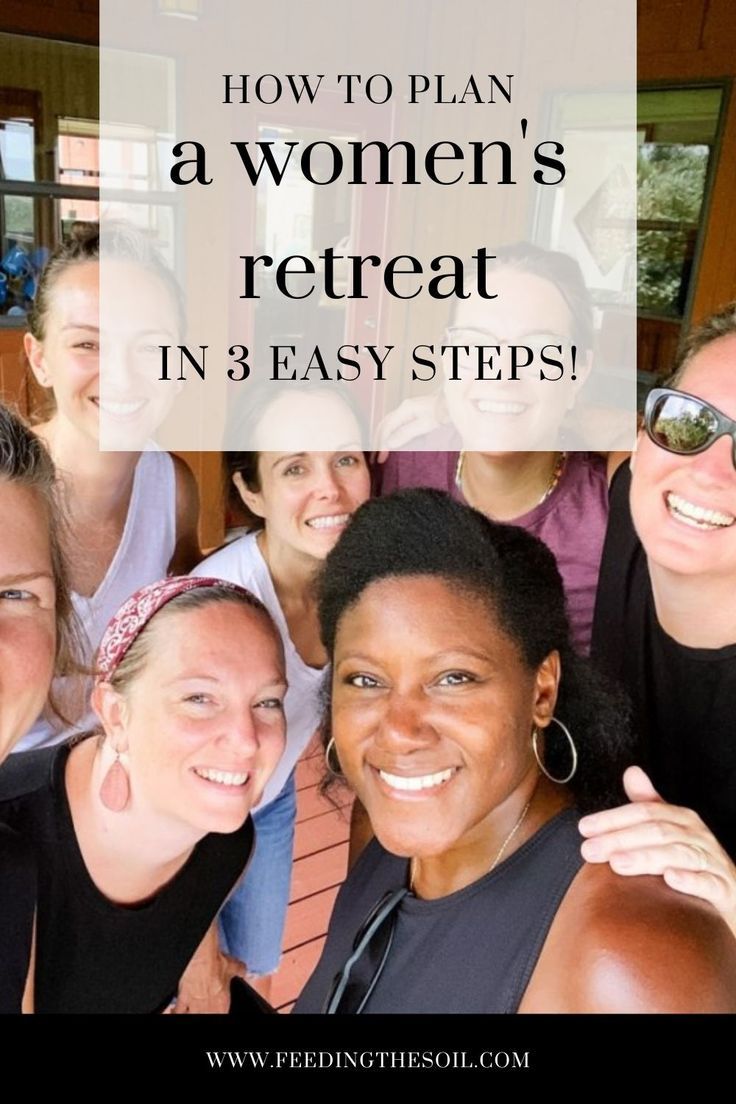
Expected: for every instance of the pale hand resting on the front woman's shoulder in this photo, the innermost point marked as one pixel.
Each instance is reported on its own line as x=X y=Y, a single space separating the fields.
x=652 y=837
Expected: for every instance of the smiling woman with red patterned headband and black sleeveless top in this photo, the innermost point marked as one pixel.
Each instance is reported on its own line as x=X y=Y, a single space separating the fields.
x=142 y=834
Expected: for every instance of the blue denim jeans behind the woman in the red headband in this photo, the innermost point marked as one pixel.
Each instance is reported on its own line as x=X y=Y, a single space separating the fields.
x=252 y=920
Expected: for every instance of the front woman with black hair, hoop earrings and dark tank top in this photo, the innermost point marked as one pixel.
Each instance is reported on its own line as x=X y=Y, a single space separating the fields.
x=474 y=735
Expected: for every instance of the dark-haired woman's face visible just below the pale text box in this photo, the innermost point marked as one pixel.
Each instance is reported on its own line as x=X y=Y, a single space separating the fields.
x=306 y=500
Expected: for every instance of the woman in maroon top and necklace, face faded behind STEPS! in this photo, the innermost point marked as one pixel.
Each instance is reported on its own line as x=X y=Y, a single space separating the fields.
x=561 y=497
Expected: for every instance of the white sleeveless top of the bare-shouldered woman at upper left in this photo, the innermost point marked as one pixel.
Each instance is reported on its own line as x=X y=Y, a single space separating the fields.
x=143 y=557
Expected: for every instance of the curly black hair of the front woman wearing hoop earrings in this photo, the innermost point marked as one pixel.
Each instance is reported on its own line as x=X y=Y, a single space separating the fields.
x=516 y=577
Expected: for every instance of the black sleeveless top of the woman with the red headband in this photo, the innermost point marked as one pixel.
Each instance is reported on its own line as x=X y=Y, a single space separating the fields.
x=92 y=954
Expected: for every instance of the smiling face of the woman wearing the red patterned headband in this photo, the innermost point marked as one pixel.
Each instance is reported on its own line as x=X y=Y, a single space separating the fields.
x=204 y=723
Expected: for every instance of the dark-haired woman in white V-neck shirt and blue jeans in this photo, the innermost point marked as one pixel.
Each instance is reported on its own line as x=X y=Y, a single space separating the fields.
x=298 y=505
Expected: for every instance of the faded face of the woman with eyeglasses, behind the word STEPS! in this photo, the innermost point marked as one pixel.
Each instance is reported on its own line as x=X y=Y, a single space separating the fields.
x=506 y=415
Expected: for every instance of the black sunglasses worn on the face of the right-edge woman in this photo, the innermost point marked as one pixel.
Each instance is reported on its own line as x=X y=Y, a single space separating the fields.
x=684 y=424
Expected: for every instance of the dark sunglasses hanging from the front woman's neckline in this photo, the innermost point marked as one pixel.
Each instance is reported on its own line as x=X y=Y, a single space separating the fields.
x=354 y=985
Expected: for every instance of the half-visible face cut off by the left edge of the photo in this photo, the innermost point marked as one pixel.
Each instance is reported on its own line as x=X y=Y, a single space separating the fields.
x=28 y=621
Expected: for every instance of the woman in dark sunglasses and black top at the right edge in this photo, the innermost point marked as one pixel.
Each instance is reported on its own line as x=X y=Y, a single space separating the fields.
x=666 y=627
